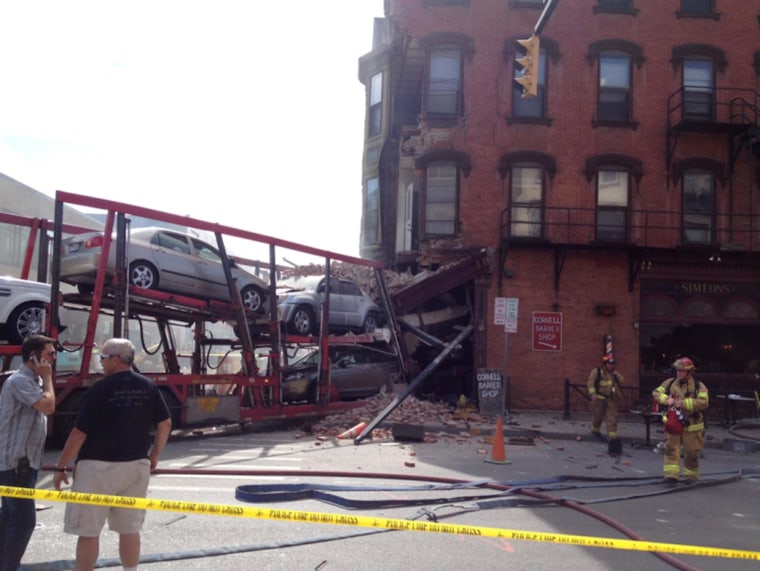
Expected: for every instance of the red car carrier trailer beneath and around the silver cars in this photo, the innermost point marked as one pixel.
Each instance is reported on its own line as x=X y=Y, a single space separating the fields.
x=201 y=392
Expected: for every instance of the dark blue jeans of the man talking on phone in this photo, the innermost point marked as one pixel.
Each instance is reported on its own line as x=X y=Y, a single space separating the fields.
x=17 y=520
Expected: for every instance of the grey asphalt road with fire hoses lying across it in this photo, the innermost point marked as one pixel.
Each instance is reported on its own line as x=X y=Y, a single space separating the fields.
x=613 y=497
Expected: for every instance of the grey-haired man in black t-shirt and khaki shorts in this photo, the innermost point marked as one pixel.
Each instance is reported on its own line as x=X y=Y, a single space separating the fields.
x=112 y=446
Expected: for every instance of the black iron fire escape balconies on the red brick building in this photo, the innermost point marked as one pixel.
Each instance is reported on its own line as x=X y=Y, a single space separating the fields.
x=735 y=235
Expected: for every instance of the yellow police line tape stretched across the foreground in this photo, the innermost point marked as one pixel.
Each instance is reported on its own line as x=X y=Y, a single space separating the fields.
x=370 y=521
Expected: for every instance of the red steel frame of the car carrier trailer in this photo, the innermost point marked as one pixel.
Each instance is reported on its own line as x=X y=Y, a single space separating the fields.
x=199 y=398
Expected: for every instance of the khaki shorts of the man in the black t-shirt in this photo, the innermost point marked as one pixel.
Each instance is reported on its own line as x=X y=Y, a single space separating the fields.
x=113 y=479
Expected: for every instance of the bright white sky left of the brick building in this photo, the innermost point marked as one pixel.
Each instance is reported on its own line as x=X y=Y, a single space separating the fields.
x=247 y=113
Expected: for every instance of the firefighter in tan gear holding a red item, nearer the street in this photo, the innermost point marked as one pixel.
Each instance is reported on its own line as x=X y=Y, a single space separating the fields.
x=685 y=398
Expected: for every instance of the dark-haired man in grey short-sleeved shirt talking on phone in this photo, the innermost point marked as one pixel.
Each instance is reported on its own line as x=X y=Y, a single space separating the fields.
x=26 y=399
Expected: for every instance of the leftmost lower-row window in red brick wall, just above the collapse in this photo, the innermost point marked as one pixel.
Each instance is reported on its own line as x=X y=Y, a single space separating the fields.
x=441 y=198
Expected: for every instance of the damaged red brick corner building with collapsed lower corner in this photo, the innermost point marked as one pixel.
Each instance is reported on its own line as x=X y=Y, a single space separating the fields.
x=623 y=198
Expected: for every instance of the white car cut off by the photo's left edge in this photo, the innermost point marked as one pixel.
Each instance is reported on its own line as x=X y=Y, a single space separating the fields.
x=23 y=308
